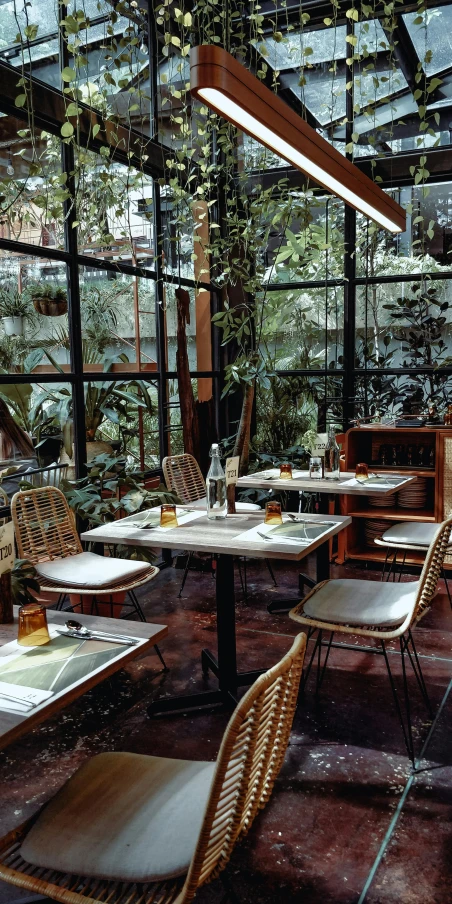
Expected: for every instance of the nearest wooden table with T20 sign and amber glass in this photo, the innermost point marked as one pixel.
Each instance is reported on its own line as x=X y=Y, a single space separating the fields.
x=12 y=726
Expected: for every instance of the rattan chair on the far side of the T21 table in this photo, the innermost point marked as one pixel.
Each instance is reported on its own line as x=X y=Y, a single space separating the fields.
x=183 y=477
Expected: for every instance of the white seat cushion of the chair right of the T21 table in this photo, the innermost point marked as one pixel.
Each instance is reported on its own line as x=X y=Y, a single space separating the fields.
x=362 y=603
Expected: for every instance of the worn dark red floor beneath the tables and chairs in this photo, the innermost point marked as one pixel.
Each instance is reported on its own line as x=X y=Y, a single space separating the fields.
x=343 y=825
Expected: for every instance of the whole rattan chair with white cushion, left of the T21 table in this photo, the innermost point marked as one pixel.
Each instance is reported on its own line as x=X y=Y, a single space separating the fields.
x=46 y=535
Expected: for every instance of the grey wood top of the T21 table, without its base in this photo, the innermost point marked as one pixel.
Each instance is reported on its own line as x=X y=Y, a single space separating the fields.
x=224 y=535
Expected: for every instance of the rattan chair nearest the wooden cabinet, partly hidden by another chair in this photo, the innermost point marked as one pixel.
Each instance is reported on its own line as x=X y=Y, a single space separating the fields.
x=405 y=537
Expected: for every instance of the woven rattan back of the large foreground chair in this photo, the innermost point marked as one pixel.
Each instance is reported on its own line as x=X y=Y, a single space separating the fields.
x=250 y=757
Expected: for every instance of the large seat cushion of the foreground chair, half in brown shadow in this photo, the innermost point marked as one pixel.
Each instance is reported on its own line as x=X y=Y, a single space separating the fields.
x=123 y=816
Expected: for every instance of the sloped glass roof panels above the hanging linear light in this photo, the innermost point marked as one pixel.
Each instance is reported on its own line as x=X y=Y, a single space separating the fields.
x=382 y=96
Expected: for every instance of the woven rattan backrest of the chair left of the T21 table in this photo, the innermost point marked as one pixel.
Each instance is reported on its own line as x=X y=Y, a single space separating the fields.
x=44 y=525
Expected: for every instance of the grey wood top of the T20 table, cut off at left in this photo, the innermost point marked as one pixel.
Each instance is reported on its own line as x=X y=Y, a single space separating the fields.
x=87 y=670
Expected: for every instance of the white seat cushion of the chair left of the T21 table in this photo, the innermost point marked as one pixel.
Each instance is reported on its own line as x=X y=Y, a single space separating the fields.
x=88 y=570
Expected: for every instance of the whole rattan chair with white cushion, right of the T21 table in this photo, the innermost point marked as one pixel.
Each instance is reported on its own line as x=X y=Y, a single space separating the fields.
x=381 y=612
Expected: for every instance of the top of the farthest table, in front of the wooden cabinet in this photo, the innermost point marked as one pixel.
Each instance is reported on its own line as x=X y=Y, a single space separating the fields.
x=302 y=481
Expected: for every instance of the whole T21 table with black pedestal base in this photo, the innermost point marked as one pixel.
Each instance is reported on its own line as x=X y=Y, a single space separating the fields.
x=220 y=538
